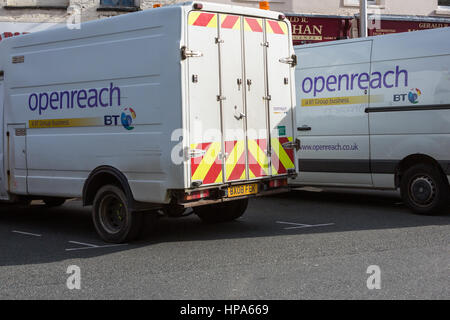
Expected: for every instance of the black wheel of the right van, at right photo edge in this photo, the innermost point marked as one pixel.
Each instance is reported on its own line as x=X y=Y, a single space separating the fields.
x=425 y=190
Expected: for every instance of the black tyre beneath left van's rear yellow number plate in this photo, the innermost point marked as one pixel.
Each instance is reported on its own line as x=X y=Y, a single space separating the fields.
x=222 y=212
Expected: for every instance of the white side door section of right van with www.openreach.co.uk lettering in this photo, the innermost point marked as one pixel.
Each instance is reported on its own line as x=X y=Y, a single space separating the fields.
x=332 y=96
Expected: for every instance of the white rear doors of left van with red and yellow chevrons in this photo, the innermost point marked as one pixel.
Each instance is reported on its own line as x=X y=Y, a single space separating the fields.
x=240 y=98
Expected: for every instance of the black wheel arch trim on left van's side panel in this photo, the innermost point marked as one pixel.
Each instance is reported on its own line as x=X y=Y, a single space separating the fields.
x=104 y=175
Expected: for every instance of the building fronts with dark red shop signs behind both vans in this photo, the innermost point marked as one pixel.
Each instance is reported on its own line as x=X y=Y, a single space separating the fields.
x=312 y=21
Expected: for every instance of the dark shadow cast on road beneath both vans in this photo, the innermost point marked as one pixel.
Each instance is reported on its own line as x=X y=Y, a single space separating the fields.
x=346 y=210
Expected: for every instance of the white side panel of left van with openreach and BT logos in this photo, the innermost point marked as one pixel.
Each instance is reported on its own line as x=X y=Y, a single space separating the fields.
x=107 y=94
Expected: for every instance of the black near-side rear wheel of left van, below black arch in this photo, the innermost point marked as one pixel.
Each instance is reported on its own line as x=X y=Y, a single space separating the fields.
x=113 y=219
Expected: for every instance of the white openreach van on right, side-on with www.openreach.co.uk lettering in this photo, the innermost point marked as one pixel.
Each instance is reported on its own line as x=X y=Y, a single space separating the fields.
x=375 y=113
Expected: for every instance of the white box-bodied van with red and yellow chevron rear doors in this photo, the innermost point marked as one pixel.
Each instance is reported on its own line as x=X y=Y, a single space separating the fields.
x=182 y=106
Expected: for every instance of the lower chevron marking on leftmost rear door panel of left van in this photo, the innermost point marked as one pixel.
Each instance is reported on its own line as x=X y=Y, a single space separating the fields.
x=207 y=168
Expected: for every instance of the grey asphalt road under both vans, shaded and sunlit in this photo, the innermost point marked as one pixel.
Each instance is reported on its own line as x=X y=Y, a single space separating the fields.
x=301 y=245
